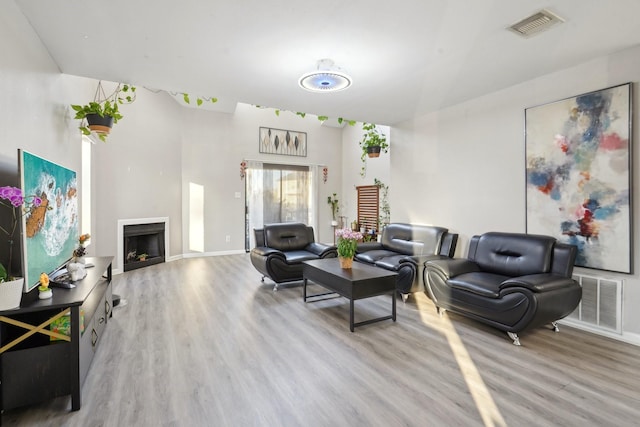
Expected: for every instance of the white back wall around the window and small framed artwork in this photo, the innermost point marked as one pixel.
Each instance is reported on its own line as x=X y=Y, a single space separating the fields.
x=214 y=144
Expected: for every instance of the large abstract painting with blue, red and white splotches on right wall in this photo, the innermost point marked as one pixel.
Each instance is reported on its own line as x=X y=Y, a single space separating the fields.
x=578 y=162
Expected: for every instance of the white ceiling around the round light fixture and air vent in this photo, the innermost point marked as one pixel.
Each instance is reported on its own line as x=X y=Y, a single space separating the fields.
x=407 y=57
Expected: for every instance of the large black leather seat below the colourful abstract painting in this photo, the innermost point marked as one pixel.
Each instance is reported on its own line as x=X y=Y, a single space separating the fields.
x=510 y=281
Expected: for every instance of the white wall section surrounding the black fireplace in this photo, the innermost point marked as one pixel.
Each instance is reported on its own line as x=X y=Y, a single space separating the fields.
x=137 y=172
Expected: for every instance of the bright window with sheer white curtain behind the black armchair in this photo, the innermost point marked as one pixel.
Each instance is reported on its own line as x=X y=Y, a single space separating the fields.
x=278 y=193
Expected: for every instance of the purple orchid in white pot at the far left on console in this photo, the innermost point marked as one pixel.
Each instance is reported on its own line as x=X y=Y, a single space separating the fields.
x=10 y=286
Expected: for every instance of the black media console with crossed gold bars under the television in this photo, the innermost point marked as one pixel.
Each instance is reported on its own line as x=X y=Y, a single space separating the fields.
x=36 y=362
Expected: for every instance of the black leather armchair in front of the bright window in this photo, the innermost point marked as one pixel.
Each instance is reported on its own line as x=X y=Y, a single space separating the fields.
x=281 y=248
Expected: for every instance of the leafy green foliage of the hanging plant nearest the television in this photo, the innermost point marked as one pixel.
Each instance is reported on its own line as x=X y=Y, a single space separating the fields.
x=104 y=106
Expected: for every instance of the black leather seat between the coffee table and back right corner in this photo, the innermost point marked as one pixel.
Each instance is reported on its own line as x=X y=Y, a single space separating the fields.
x=404 y=248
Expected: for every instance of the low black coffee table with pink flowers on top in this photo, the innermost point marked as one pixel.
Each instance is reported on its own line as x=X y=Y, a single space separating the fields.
x=361 y=281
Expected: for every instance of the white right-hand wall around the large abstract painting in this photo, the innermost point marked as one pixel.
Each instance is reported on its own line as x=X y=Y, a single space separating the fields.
x=464 y=167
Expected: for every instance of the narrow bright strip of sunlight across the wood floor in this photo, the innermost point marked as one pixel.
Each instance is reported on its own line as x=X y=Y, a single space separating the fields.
x=486 y=406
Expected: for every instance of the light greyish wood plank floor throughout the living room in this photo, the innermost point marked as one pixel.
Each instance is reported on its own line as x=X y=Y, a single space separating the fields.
x=202 y=342
